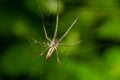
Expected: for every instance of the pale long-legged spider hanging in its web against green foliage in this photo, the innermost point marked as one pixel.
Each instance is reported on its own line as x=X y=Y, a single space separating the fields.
x=54 y=42
